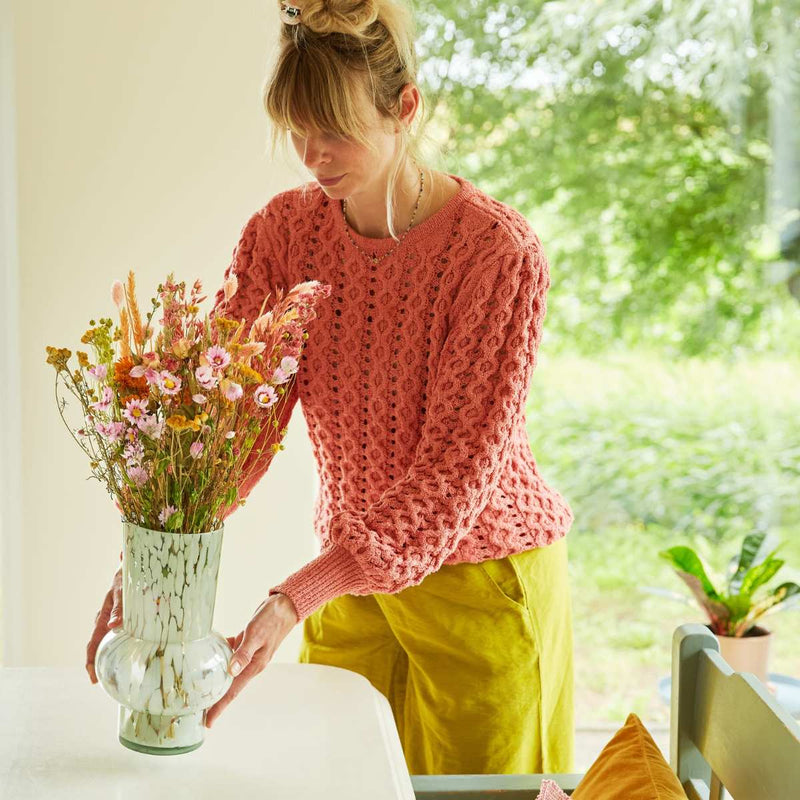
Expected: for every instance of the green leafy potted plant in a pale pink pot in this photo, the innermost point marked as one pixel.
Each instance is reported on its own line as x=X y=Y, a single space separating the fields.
x=735 y=611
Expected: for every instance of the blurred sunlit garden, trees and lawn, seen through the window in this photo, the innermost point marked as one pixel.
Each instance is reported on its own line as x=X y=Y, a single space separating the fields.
x=654 y=145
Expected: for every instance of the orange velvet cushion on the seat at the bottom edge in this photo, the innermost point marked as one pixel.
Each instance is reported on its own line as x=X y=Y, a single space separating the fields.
x=630 y=767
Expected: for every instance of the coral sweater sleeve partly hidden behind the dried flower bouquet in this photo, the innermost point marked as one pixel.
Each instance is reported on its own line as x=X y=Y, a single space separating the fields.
x=258 y=263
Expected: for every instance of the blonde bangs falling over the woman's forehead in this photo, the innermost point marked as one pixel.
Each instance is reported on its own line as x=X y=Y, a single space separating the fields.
x=307 y=95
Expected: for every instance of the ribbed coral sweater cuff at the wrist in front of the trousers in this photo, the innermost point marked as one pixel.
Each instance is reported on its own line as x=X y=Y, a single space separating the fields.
x=332 y=573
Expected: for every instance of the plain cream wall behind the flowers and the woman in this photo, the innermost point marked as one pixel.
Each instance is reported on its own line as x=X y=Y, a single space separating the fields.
x=141 y=143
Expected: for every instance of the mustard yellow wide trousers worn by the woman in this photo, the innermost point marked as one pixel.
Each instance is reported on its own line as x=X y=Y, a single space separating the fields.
x=475 y=661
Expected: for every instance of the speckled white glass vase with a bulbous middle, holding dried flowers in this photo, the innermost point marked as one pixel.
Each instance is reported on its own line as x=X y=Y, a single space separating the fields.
x=164 y=665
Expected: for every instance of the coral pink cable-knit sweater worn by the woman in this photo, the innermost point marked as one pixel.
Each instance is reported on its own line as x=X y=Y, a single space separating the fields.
x=413 y=384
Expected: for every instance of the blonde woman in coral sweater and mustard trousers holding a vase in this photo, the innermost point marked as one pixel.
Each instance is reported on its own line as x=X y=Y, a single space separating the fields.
x=442 y=576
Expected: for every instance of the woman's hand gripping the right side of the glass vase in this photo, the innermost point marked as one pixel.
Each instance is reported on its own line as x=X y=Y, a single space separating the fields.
x=255 y=646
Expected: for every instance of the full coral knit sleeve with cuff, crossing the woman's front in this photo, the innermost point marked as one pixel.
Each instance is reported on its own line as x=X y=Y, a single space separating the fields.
x=477 y=396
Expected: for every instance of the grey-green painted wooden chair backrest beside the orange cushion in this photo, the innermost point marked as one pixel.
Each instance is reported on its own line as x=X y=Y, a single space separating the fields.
x=726 y=729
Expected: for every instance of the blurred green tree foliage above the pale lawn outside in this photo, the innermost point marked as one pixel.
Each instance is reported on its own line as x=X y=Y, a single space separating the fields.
x=634 y=137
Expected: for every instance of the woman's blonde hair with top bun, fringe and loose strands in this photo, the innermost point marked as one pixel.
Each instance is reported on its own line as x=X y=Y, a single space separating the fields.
x=371 y=44
